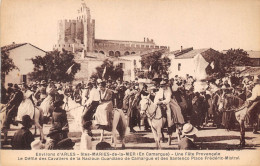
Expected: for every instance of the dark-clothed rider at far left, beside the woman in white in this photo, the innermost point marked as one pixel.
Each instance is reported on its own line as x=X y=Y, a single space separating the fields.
x=12 y=107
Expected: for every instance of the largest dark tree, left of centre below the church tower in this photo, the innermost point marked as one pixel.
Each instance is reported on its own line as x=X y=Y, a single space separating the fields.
x=54 y=65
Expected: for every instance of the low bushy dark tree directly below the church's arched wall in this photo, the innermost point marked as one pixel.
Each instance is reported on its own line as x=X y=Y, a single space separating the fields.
x=113 y=72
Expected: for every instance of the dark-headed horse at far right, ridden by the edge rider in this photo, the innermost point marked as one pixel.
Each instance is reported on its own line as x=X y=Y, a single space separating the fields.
x=236 y=106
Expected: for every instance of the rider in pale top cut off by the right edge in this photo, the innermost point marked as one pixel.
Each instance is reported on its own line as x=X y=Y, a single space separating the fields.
x=254 y=104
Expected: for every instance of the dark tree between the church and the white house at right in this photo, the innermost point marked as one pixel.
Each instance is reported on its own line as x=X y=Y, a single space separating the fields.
x=156 y=62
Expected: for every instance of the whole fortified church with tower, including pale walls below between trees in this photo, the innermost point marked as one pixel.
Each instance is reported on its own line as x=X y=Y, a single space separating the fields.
x=78 y=36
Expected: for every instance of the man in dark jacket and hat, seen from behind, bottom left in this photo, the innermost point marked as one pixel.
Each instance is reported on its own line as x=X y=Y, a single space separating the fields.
x=23 y=137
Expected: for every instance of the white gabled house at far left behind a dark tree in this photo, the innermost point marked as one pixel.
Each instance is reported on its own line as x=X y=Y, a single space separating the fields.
x=21 y=55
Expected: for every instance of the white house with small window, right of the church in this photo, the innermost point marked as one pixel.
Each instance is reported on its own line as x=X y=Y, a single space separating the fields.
x=190 y=61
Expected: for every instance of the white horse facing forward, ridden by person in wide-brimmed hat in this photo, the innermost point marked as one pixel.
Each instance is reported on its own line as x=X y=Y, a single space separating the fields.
x=155 y=119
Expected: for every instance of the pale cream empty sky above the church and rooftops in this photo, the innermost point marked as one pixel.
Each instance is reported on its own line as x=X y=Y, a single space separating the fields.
x=217 y=24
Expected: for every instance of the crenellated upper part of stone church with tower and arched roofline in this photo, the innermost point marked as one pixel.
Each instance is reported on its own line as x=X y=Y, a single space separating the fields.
x=79 y=34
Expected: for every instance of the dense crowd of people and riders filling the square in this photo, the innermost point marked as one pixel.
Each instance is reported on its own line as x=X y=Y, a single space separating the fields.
x=182 y=101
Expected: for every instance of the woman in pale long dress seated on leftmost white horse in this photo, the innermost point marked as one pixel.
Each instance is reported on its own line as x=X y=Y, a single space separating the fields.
x=27 y=106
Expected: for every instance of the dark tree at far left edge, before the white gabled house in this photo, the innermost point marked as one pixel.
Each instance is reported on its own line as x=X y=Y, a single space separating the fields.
x=7 y=64
